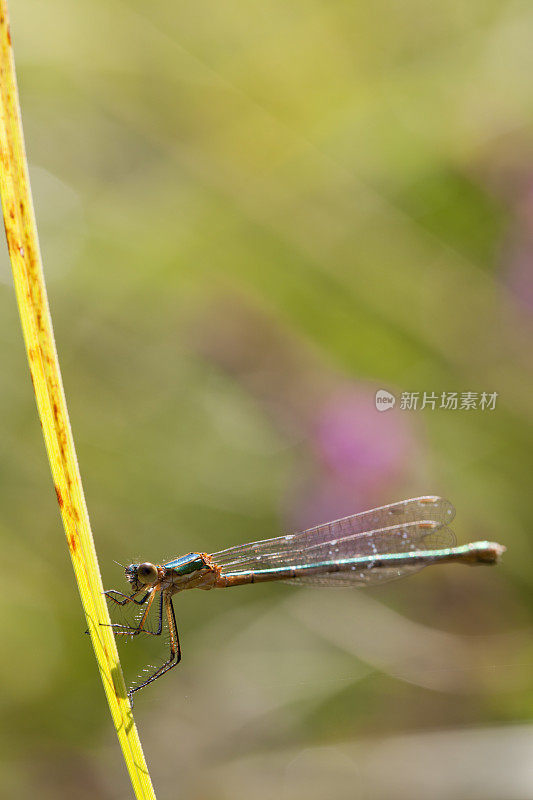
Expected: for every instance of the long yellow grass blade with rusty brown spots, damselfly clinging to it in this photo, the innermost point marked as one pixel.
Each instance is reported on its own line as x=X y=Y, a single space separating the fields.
x=30 y=288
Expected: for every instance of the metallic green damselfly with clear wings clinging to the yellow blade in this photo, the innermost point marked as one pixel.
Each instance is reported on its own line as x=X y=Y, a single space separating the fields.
x=361 y=550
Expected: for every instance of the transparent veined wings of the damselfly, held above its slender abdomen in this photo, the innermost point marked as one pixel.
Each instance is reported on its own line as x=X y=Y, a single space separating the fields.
x=417 y=524
